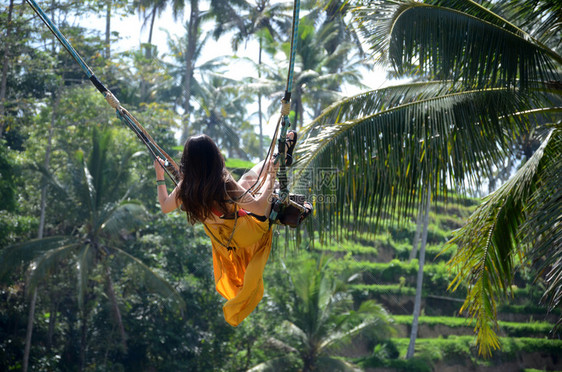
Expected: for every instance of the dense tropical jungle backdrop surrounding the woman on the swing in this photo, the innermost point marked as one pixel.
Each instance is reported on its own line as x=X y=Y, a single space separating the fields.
x=436 y=240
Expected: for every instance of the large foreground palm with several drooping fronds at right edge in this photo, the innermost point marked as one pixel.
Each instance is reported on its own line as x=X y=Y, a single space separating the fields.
x=482 y=82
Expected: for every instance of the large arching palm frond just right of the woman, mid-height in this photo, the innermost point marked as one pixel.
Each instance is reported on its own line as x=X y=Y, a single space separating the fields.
x=384 y=159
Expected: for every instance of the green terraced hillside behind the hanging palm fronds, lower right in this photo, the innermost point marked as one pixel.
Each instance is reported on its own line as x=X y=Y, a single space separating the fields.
x=384 y=272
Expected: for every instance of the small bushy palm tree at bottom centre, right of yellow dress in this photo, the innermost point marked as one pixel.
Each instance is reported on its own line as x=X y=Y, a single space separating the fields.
x=319 y=317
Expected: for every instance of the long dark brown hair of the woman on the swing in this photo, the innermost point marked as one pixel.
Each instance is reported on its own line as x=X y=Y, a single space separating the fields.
x=205 y=180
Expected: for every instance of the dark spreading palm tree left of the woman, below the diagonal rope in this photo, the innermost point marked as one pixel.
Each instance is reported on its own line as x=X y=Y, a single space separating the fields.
x=93 y=245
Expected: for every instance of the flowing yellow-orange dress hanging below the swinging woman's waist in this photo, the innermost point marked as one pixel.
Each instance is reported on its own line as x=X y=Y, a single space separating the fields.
x=239 y=270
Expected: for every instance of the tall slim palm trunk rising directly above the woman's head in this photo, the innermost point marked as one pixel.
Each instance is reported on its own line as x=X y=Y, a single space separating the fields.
x=192 y=36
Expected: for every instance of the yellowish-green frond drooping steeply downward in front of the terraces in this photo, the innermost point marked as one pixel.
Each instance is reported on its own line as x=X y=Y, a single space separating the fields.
x=488 y=249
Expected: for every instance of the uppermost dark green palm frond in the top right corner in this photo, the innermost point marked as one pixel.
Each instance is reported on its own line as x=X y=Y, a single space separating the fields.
x=458 y=40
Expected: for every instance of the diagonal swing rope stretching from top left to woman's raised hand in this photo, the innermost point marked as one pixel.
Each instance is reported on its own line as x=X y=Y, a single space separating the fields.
x=170 y=166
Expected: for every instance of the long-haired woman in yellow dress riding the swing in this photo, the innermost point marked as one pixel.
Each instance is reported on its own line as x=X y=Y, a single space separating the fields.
x=235 y=220
